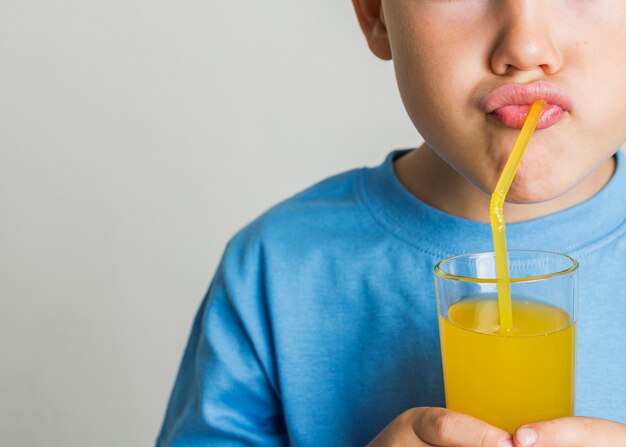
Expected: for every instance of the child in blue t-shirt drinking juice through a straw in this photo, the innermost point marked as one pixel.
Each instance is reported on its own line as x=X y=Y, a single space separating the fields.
x=320 y=326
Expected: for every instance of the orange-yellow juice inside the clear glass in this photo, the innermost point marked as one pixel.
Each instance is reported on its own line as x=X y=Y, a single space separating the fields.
x=508 y=378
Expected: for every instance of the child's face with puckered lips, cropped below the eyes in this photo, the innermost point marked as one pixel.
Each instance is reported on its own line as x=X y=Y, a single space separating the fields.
x=450 y=55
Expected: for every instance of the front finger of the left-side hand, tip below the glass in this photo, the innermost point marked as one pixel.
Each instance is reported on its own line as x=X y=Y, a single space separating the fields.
x=441 y=427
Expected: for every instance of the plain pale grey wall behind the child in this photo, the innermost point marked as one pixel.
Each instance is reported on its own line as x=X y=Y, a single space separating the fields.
x=136 y=136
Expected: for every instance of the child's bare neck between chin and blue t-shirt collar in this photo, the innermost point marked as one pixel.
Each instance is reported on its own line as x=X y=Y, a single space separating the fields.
x=435 y=182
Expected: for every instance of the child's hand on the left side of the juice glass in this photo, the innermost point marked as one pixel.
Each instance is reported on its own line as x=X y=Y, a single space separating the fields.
x=428 y=426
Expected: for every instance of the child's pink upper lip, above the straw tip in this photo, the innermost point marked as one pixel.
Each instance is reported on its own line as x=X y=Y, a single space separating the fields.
x=523 y=94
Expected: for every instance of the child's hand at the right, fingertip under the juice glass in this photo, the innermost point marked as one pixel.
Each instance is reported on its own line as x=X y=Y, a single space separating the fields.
x=571 y=432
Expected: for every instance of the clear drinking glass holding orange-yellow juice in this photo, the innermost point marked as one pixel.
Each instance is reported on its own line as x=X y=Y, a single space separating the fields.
x=508 y=377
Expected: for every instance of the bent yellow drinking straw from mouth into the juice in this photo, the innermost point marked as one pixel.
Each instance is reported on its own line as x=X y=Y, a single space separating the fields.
x=496 y=213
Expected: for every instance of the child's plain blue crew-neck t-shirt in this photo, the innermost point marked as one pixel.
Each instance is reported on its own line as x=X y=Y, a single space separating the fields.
x=320 y=325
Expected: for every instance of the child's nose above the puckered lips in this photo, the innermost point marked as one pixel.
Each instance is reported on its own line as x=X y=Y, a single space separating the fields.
x=525 y=41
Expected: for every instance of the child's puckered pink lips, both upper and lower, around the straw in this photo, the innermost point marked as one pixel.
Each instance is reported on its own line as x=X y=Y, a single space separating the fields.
x=510 y=103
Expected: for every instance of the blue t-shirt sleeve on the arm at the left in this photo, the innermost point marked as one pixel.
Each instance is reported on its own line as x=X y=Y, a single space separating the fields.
x=226 y=391
